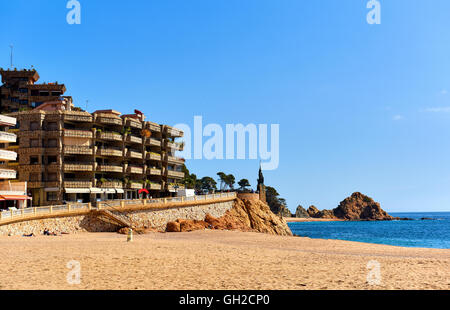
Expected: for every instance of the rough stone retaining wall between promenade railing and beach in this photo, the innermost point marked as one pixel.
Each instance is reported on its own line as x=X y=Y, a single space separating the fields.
x=89 y=223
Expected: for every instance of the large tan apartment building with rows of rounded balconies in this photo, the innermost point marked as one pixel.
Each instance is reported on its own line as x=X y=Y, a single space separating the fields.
x=70 y=155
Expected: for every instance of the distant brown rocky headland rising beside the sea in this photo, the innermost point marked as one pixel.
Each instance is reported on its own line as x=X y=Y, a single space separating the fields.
x=355 y=207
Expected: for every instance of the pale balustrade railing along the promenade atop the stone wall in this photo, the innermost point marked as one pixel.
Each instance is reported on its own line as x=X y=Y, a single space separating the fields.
x=74 y=208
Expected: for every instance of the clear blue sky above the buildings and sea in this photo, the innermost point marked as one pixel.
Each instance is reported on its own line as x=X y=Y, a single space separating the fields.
x=361 y=107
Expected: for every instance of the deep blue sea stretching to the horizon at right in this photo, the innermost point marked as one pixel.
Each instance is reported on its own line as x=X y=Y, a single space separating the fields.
x=416 y=233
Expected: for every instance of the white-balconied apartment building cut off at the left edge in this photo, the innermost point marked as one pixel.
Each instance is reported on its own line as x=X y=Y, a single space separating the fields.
x=12 y=193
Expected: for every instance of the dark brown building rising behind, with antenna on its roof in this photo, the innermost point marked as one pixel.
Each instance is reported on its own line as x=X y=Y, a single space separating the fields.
x=20 y=91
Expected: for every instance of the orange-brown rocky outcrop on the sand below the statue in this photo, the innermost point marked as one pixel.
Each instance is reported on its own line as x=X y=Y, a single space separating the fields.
x=246 y=215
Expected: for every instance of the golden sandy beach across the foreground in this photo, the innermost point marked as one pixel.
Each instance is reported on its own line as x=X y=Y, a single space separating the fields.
x=215 y=260
